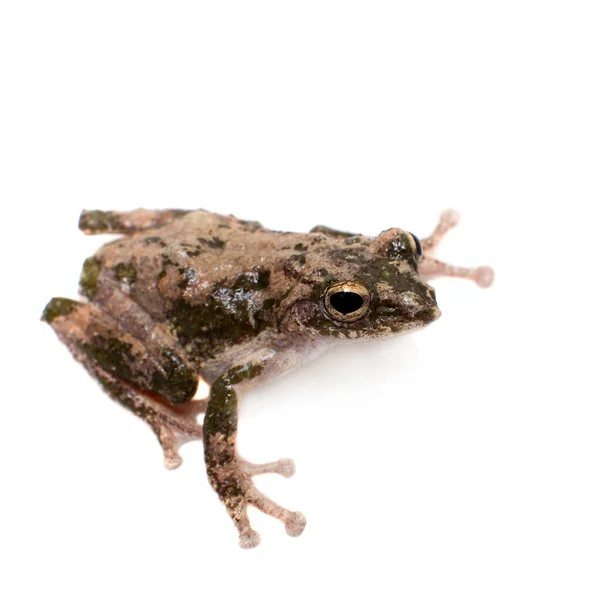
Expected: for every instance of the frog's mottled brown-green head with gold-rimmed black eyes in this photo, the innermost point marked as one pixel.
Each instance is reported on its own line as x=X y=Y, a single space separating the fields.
x=363 y=288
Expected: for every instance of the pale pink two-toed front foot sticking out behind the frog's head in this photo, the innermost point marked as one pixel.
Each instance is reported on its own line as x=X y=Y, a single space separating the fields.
x=432 y=267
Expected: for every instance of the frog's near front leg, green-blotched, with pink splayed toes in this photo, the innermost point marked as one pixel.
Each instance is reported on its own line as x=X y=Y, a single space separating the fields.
x=230 y=475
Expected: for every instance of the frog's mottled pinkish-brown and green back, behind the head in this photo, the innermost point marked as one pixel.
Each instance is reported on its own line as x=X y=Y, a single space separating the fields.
x=204 y=277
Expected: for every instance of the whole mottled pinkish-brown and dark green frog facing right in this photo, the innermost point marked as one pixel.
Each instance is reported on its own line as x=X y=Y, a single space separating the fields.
x=190 y=296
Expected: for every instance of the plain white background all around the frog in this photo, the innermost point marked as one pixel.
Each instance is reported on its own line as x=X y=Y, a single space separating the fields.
x=461 y=462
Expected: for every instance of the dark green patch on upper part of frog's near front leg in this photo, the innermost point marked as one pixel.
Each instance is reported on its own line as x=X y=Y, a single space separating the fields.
x=222 y=411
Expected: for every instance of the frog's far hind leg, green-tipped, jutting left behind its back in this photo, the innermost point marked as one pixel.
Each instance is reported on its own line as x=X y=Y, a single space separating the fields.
x=95 y=222
